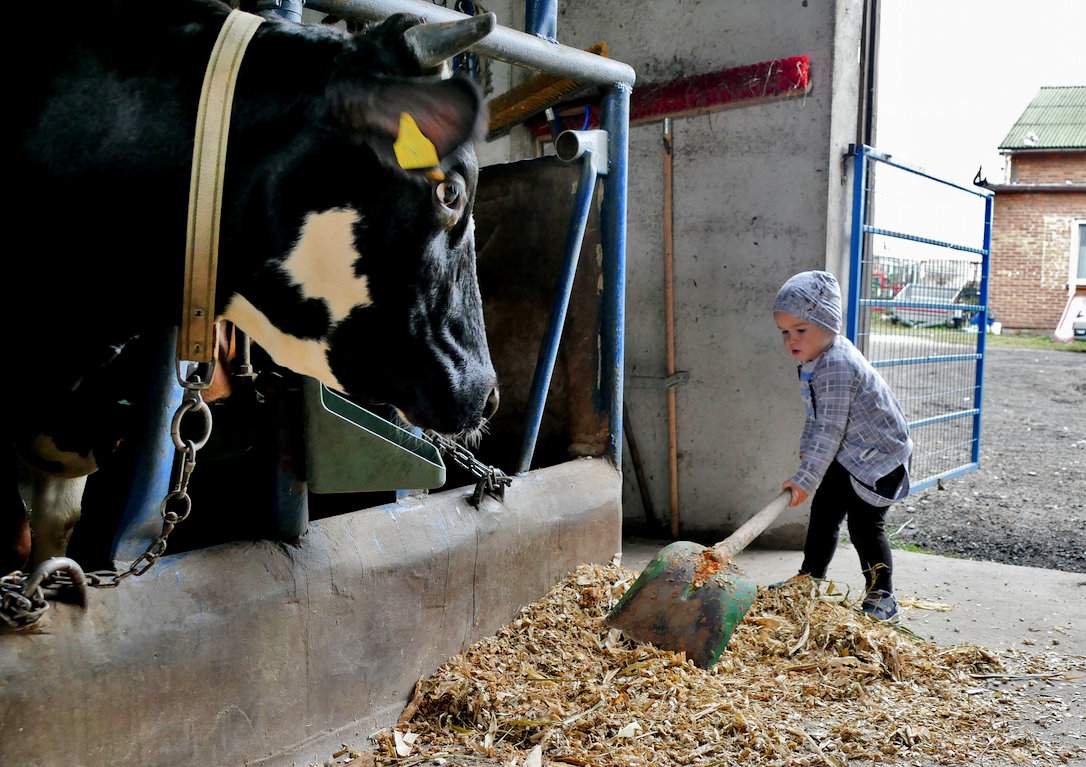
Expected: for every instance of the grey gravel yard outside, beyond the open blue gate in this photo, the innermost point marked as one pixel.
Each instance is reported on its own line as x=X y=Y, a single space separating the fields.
x=1027 y=505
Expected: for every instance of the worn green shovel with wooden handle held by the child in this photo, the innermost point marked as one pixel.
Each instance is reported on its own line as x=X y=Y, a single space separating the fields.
x=691 y=598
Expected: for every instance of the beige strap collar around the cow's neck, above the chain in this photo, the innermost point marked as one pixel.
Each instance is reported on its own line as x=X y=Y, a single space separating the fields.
x=197 y=338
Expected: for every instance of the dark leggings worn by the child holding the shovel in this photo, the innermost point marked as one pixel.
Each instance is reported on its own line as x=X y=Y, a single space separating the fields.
x=836 y=500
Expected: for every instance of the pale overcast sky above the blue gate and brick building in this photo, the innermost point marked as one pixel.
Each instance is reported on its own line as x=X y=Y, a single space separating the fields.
x=954 y=77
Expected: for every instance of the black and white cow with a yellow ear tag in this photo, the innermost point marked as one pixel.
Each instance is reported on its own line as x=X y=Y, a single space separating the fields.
x=339 y=263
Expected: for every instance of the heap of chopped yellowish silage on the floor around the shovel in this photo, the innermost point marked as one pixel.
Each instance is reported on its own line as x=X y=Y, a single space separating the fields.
x=806 y=681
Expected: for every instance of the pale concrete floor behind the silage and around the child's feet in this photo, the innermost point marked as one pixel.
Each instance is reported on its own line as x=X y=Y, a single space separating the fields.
x=995 y=606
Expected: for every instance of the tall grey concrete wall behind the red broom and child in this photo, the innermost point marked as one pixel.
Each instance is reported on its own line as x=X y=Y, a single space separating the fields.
x=759 y=196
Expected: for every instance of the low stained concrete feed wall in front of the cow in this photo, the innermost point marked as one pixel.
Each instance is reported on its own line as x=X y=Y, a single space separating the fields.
x=261 y=653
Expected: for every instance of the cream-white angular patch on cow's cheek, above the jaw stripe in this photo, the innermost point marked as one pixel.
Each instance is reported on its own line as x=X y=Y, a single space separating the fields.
x=322 y=262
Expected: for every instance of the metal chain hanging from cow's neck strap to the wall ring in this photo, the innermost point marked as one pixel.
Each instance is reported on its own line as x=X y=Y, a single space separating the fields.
x=23 y=597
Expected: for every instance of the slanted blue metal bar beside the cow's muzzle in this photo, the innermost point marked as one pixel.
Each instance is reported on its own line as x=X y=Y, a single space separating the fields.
x=549 y=349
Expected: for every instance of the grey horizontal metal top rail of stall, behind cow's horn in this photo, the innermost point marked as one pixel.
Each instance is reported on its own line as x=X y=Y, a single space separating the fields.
x=503 y=44
